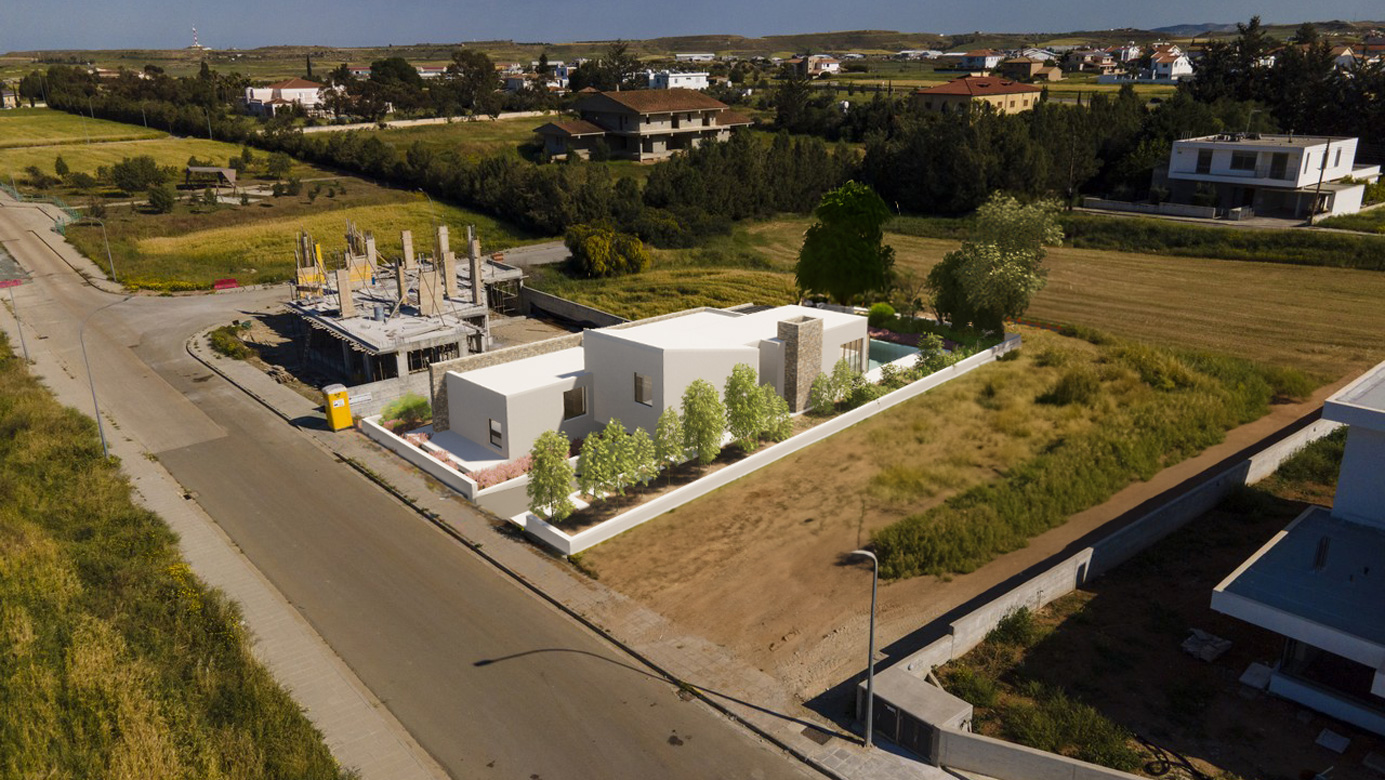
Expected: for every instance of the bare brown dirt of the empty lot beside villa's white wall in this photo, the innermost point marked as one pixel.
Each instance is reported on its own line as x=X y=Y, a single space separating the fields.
x=760 y=567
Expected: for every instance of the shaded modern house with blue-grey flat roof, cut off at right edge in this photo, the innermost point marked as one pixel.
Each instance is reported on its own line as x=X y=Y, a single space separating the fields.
x=1321 y=583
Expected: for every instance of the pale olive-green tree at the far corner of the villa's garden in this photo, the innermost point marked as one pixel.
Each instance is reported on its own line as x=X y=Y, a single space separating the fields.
x=999 y=269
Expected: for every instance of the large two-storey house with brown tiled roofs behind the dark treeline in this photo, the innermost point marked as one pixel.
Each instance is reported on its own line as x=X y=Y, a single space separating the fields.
x=642 y=124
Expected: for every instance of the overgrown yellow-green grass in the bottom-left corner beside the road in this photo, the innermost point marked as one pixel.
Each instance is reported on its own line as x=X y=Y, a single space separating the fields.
x=118 y=660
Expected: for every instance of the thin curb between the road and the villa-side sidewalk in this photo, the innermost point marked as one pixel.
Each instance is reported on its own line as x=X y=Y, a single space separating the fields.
x=476 y=548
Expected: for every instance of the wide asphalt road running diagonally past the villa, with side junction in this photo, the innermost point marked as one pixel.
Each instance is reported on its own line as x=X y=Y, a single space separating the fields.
x=488 y=678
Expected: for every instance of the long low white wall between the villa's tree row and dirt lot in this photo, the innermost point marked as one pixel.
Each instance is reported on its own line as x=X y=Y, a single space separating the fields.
x=569 y=545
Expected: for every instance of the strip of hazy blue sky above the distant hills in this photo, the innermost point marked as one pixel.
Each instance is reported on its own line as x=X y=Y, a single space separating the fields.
x=247 y=24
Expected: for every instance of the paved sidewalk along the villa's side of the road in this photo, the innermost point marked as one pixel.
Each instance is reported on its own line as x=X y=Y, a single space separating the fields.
x=746 y=693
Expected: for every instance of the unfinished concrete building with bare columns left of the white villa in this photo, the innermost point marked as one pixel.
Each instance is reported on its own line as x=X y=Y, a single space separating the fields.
x=377 y=326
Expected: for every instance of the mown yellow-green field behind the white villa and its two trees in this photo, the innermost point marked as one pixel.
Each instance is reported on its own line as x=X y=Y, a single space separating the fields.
x=1271 y=312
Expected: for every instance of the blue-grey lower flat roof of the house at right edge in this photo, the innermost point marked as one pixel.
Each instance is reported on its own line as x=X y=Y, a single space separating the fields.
x=1346 y=594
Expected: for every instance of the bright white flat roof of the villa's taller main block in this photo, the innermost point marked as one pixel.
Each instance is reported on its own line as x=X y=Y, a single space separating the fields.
x=718 y=329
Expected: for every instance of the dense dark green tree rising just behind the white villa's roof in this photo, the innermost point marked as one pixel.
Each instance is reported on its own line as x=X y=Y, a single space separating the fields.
x=844 y=254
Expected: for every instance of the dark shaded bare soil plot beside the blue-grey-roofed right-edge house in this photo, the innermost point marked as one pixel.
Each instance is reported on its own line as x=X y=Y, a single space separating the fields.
x=1116 y=645
